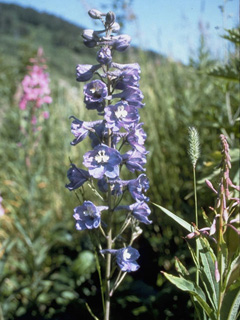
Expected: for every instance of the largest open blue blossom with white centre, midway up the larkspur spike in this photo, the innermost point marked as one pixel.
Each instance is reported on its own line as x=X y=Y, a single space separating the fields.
x=101 y=161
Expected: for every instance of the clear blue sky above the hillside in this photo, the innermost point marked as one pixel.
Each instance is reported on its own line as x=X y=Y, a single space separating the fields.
x=169 y=27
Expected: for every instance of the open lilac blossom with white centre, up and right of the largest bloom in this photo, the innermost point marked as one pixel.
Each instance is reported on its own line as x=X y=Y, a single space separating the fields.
x=121 y=115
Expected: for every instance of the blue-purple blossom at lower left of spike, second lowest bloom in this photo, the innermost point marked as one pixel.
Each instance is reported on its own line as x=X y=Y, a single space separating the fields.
x=88 y=216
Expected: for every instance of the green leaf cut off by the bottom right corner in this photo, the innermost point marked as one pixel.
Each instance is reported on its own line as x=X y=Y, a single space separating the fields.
x=231 y=304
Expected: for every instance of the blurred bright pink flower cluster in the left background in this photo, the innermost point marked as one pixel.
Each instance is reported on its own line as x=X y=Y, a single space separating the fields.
x=35 y=87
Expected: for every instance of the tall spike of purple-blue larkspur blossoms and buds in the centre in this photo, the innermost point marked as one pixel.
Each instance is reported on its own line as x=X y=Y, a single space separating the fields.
x=112 y=90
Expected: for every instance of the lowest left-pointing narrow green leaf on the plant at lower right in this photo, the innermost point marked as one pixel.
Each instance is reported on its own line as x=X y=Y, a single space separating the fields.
x=194 y=290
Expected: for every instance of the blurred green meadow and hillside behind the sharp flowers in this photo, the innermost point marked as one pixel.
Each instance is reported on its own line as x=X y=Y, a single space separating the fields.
x=47 y=267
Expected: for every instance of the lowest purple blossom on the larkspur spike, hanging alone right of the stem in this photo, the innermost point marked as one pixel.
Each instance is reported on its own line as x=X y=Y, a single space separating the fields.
x=125 y=257
